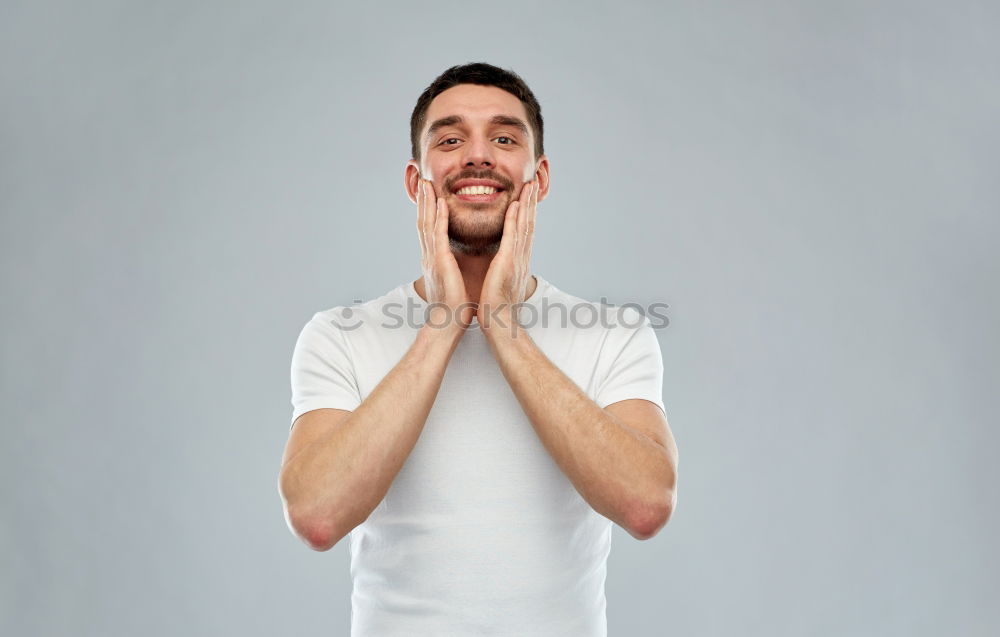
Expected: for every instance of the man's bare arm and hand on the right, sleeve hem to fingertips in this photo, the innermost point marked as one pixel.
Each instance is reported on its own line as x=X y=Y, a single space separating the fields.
x=623 y=473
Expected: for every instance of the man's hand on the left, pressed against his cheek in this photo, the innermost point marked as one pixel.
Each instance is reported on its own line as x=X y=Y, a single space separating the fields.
x=443 y=282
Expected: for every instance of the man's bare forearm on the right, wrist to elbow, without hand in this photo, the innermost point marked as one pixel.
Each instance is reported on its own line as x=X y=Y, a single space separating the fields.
x=619 y=471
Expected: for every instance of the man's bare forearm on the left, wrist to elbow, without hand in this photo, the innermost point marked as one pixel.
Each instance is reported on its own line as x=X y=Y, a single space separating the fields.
x=337 y=481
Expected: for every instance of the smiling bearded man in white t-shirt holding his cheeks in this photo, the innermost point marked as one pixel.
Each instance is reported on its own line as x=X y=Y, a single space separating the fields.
x=477 y=457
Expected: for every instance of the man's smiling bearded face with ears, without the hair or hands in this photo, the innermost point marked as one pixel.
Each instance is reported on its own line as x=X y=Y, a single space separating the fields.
x=478 y=151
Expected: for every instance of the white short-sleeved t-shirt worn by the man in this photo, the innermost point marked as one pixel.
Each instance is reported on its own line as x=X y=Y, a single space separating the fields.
x=480 y=533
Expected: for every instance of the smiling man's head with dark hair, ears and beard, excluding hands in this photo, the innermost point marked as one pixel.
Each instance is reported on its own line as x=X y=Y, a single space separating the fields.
x=477 y=124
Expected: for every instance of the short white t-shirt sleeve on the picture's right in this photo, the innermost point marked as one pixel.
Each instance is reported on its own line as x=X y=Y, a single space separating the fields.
x=636 y=370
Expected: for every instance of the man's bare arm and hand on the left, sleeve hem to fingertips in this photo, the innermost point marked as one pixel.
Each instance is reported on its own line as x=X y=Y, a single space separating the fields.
x=339 y=467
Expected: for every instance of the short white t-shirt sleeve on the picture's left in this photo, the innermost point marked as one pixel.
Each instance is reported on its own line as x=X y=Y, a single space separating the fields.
x=322 y=371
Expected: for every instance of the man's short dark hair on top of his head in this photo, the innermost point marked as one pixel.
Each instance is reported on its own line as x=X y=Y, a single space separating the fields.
x=484 y=75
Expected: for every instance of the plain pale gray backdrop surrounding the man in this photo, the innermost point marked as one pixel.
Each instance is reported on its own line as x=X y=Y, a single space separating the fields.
x=811 y=187
